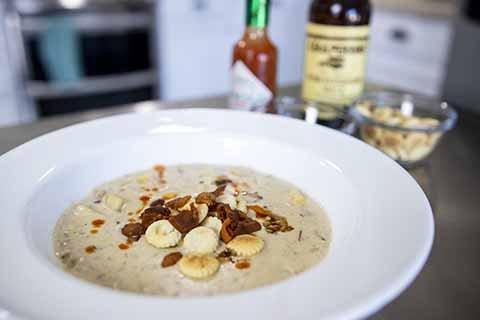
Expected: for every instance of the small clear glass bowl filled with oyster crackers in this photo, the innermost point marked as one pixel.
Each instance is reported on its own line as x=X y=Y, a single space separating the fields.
x=404 y=126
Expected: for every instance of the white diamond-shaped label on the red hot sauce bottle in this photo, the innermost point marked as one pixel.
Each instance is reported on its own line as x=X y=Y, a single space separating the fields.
x=248 y=92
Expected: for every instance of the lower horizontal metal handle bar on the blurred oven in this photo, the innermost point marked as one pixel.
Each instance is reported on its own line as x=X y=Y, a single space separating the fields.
x=91 y=85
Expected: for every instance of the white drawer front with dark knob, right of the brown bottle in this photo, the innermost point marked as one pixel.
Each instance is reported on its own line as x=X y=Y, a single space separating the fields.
x=408 y=52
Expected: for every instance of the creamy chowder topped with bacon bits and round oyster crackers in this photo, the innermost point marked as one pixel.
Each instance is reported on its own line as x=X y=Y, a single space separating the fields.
x=224 y=229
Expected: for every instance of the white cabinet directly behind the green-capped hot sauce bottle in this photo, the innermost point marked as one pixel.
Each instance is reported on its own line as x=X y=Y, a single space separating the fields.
x=196 y=38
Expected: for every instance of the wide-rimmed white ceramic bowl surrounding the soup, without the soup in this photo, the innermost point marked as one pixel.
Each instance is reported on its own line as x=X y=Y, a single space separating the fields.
x=382 y=222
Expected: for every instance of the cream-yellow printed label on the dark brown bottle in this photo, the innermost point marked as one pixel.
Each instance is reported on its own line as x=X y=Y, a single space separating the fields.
x=335 y=59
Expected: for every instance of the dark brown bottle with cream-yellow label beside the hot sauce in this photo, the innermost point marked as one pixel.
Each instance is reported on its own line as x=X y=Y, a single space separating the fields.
x=336 y=51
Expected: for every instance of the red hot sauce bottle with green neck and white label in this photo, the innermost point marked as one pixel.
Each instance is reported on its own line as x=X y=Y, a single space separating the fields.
x=254 y=69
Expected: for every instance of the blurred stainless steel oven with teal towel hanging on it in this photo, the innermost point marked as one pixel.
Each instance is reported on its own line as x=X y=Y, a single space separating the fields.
x=78 y=54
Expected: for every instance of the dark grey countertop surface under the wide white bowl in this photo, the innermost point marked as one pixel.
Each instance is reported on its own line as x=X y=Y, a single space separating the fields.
x=449 y=285
